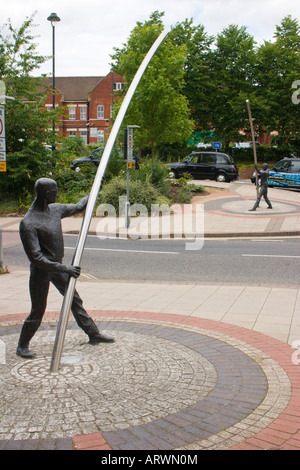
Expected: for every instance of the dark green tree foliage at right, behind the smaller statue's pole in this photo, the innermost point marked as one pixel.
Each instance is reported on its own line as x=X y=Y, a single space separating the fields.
x=222 y=74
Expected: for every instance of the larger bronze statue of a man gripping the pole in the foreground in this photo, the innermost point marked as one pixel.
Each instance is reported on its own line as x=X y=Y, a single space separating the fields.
x=42 y=239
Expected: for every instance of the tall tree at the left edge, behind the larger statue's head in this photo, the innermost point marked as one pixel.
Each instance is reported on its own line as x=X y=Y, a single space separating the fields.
x=27 y=121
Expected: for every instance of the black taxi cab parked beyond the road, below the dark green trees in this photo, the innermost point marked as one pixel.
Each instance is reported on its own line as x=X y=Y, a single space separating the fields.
x=206 y=165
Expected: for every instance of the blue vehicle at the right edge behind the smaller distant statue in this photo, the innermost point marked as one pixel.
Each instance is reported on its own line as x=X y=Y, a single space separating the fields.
x=286 y=173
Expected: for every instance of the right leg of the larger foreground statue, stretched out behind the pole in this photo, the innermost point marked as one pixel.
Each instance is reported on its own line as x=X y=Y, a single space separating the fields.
x=82 y=318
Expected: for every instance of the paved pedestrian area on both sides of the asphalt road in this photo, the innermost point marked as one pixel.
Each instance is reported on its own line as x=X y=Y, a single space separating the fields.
x=194 y=366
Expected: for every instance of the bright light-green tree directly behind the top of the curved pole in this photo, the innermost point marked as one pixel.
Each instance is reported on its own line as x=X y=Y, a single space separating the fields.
x=159 y=107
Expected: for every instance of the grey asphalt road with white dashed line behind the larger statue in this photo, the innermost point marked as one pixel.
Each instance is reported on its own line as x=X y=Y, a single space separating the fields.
x=244 y=261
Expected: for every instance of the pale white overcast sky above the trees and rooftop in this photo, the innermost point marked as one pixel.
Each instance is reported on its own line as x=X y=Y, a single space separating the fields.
x=90 y=29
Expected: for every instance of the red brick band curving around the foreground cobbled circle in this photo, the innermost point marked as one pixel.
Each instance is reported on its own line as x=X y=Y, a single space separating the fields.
x=283 y=433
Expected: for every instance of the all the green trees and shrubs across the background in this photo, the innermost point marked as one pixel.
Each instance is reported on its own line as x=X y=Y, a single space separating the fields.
x=196 y=86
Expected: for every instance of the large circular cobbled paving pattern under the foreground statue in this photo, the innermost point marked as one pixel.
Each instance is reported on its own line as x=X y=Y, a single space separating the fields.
x=159 y=386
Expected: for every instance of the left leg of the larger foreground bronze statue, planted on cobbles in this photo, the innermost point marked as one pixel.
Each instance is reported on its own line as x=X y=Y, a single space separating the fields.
x=39 y=287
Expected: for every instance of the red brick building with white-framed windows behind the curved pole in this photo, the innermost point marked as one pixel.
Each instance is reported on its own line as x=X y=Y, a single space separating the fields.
x=88 y=102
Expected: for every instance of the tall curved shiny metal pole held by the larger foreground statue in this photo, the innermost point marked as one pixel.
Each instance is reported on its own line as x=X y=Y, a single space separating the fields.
x=68 y=298
